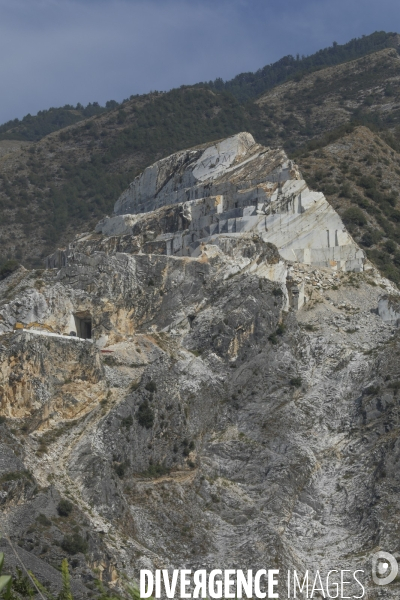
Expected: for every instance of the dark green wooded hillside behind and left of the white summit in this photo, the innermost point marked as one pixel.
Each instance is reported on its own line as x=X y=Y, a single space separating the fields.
x=67 y=180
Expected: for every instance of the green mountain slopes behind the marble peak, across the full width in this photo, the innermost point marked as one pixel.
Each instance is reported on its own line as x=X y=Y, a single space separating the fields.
x=62 y=184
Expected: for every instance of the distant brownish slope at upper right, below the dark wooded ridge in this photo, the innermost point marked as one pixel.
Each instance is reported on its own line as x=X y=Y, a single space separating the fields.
x=362 y=91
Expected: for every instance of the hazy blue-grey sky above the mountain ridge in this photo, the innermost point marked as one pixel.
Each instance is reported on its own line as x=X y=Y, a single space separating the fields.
x=56 y=52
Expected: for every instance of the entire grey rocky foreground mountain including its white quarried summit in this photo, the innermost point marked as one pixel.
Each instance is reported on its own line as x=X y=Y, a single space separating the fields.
x=207 y=422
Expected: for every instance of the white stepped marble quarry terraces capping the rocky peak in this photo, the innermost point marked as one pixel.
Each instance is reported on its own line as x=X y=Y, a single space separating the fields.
x=229 y=197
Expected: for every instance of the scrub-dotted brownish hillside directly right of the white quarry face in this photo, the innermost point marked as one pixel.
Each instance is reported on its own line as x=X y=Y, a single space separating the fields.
x=371 y=180
